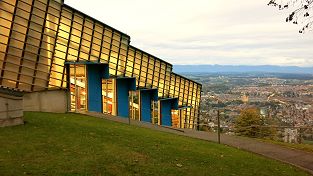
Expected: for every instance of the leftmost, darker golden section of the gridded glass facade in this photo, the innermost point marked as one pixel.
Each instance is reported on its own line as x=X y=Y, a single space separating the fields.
x=28 y=44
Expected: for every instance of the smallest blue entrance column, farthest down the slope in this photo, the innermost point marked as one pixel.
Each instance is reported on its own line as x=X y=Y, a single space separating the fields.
x=166 y=106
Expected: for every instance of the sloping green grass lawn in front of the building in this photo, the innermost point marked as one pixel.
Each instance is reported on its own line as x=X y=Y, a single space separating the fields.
x=71 y=144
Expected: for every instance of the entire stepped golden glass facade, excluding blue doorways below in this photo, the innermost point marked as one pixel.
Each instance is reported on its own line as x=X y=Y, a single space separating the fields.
x=38 y=36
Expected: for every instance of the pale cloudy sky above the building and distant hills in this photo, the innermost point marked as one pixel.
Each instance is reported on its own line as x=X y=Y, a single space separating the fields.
x=225 y=32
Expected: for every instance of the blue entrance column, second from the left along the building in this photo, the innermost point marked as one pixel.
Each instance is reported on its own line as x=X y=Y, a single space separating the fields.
x=123 y=86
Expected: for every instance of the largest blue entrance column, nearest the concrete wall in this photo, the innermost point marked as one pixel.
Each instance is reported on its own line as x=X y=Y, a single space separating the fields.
x=95 y=73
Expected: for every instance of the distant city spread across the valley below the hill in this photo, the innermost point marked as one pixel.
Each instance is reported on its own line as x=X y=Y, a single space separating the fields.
x=286 y=99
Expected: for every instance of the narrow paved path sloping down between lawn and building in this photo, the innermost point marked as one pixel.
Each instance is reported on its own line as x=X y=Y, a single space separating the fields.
x=294 y=157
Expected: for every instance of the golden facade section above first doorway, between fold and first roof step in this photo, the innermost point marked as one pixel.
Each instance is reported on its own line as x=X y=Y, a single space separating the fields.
x=81 y=38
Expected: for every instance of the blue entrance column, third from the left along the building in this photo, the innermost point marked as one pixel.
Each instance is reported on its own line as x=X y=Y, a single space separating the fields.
x=146 y=98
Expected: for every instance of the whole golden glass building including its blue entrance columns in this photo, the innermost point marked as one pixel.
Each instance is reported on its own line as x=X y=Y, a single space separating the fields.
x=48 y=45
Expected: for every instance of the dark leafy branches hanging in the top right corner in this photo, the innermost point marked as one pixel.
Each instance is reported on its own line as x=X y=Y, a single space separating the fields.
x=301 y=12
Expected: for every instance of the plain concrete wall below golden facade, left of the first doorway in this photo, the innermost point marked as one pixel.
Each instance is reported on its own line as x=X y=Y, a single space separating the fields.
x=46 y=101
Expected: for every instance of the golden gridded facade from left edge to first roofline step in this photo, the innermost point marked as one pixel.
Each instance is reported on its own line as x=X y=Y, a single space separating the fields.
x=38 y=36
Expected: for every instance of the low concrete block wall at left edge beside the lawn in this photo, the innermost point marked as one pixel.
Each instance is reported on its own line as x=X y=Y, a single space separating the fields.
x=11 y=110
